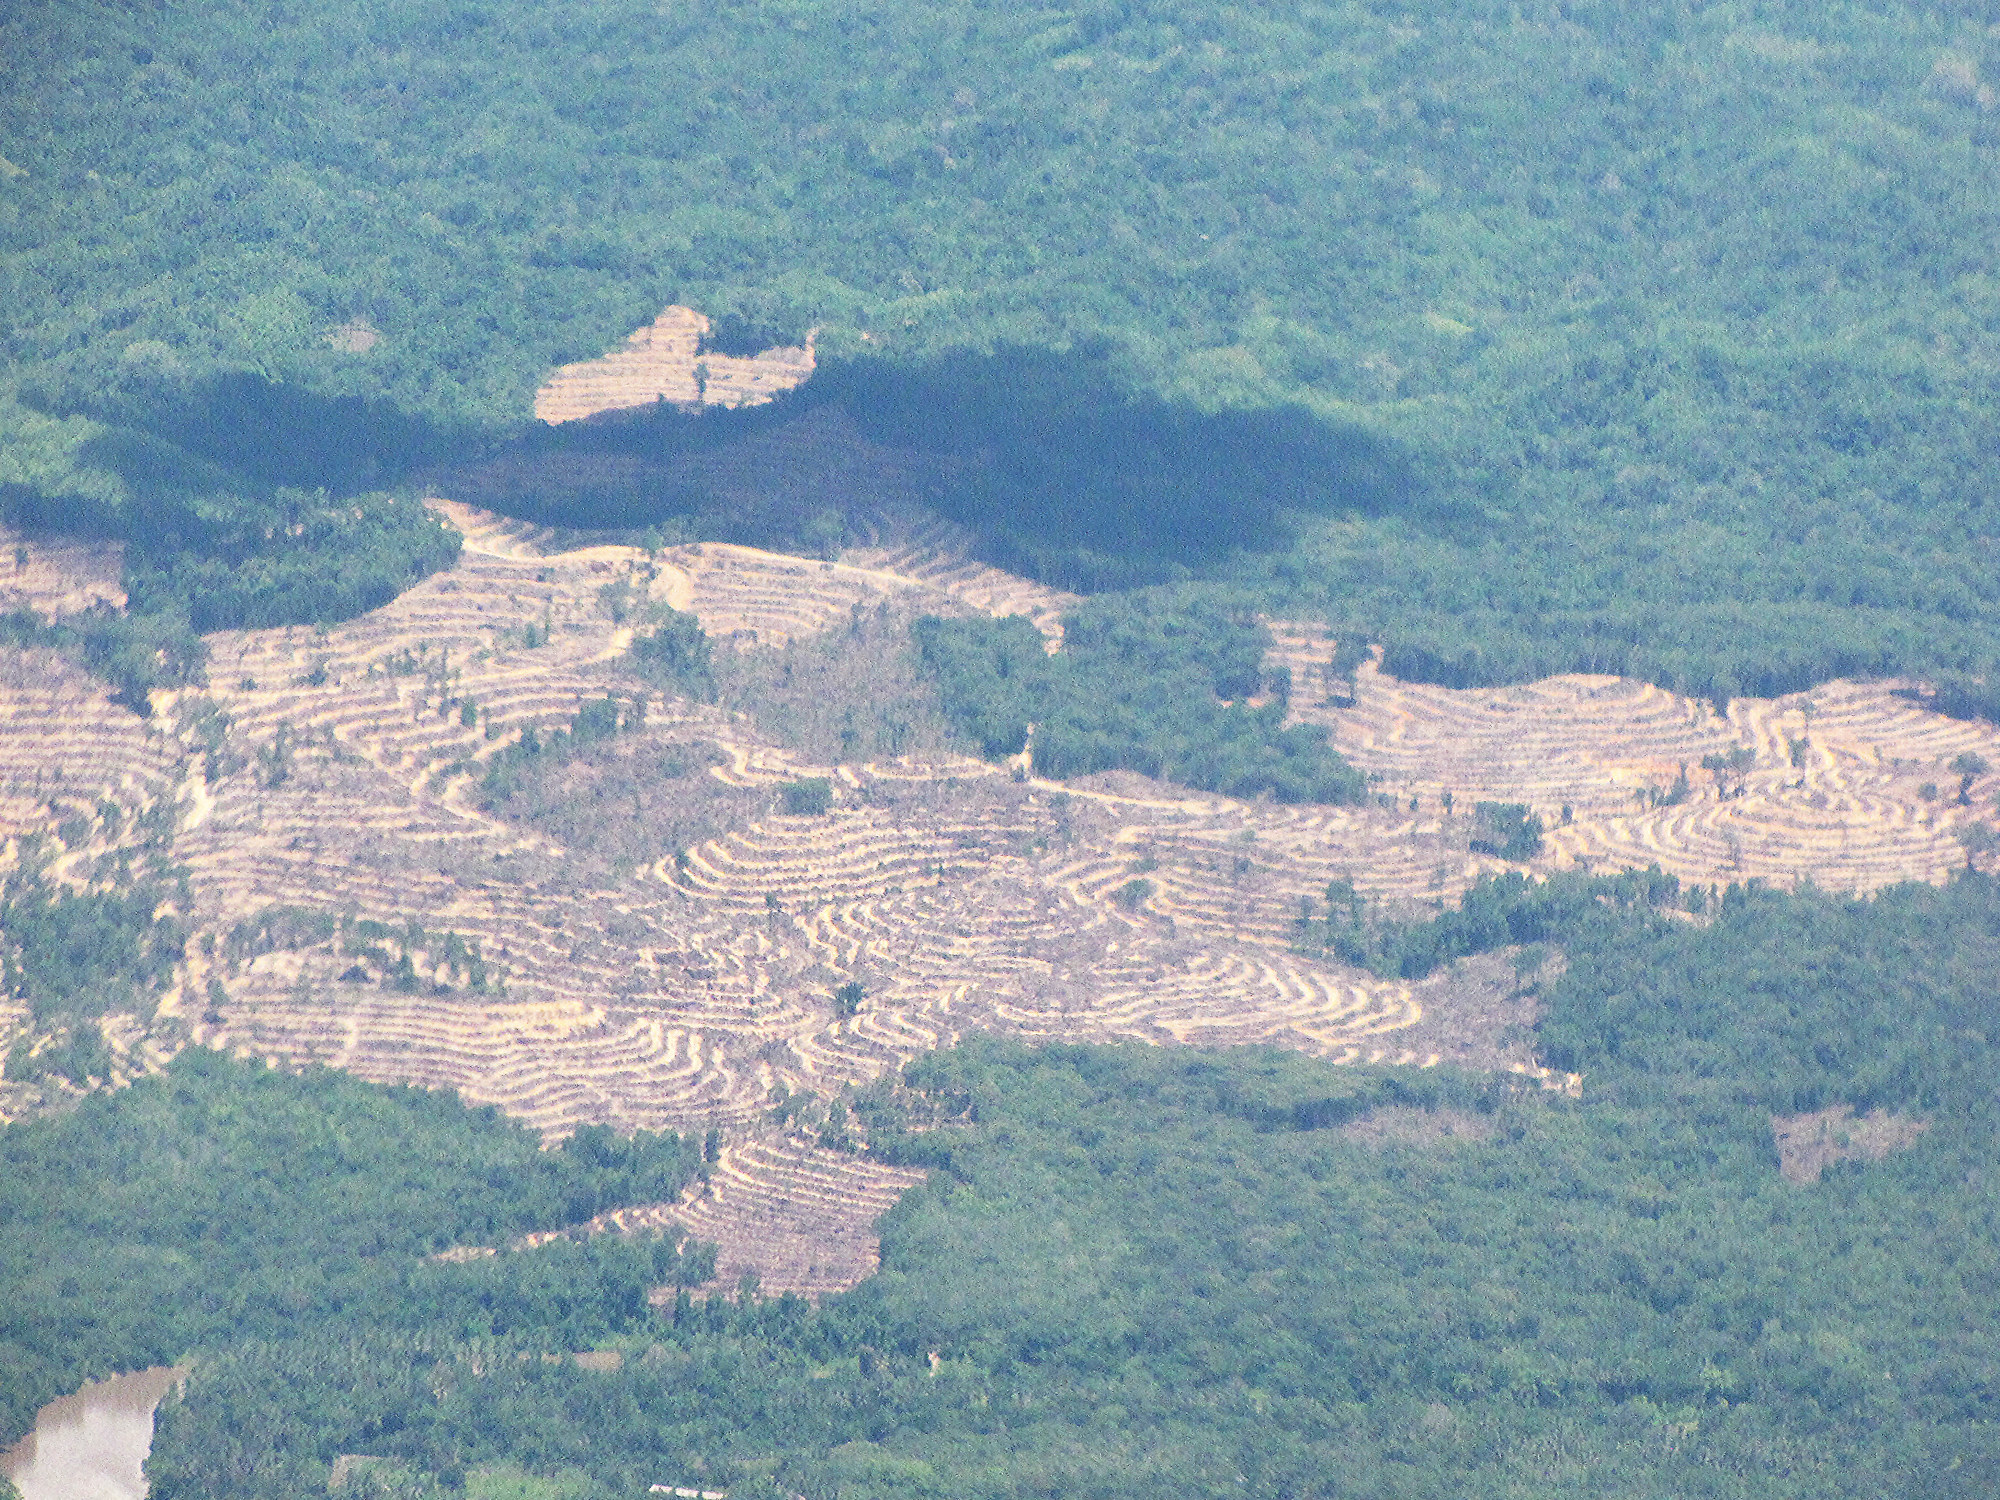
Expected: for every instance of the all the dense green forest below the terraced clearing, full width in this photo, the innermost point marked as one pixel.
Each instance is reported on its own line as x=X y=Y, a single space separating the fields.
x=1131 y=1269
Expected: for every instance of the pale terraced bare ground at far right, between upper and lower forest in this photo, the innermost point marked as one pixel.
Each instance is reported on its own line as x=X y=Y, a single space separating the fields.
x=1851 y=785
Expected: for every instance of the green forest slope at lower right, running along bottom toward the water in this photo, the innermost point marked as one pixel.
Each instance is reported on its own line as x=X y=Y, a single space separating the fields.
x=1245 y=1273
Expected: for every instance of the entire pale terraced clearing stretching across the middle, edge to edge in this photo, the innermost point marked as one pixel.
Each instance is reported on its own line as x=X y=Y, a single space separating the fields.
x=355 y=901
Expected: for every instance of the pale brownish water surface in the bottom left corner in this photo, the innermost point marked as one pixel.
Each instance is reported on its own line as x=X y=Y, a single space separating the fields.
x=91 y=1445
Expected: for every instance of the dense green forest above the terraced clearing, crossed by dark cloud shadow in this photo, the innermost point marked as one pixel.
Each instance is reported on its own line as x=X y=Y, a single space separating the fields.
x=1521 y=337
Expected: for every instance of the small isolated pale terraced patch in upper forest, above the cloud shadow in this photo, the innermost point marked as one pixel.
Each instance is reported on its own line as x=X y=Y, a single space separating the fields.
x=665 y=363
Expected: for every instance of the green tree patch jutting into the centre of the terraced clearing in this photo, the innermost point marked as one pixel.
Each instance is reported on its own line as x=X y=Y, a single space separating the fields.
x=1139 y=689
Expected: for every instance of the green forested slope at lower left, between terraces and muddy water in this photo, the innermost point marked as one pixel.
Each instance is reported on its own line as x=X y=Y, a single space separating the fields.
x=227 y=1201
